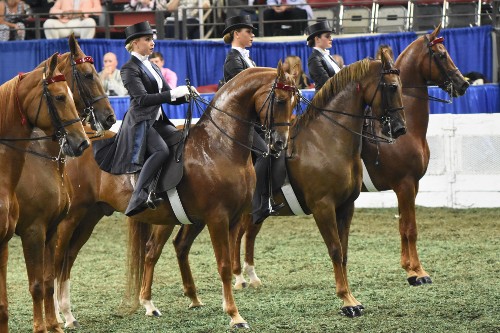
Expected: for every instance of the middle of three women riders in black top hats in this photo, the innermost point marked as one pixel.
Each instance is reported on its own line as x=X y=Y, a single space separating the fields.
x=239 y=32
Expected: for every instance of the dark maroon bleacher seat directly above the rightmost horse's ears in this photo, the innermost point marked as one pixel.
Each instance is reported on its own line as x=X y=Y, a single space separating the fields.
x=426 y=14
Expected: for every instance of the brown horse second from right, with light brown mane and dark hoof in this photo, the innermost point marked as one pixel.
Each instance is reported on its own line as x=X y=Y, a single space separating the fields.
x=323 y=166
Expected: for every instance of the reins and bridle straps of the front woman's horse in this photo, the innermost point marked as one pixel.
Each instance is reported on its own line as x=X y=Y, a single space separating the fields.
x=198 y=100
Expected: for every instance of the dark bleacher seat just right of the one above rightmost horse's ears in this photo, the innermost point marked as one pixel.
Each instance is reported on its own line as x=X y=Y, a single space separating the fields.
x=462 y=13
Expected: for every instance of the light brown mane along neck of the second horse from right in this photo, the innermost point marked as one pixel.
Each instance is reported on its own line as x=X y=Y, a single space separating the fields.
x=336 y=84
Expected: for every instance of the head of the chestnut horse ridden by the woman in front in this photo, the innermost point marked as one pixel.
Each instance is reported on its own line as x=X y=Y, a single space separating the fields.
x=276 y=108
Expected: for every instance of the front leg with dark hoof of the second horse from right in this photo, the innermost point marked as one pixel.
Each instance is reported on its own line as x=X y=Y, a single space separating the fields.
x=325 y=218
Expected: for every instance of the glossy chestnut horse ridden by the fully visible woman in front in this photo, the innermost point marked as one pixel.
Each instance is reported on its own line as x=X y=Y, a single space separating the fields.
x=216 y=188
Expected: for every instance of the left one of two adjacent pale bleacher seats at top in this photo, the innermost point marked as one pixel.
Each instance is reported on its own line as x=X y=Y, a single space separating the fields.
x=356 y=16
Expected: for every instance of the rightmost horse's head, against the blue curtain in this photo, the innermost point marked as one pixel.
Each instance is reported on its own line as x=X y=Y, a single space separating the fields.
x=441 y=68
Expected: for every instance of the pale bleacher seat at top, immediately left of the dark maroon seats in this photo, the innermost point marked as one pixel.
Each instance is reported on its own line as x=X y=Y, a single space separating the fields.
x=392 y=15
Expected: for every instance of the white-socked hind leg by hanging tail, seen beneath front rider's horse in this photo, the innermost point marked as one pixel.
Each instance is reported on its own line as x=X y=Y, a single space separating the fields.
x=154 y=247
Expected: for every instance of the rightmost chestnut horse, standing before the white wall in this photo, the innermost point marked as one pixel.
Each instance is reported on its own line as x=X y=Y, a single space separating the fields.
x=401 y=165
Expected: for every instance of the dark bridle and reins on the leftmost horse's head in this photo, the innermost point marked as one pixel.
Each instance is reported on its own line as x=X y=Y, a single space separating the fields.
x=60 y=133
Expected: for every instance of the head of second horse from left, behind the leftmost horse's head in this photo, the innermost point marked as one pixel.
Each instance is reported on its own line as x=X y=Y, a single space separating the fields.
x=89 y=94
